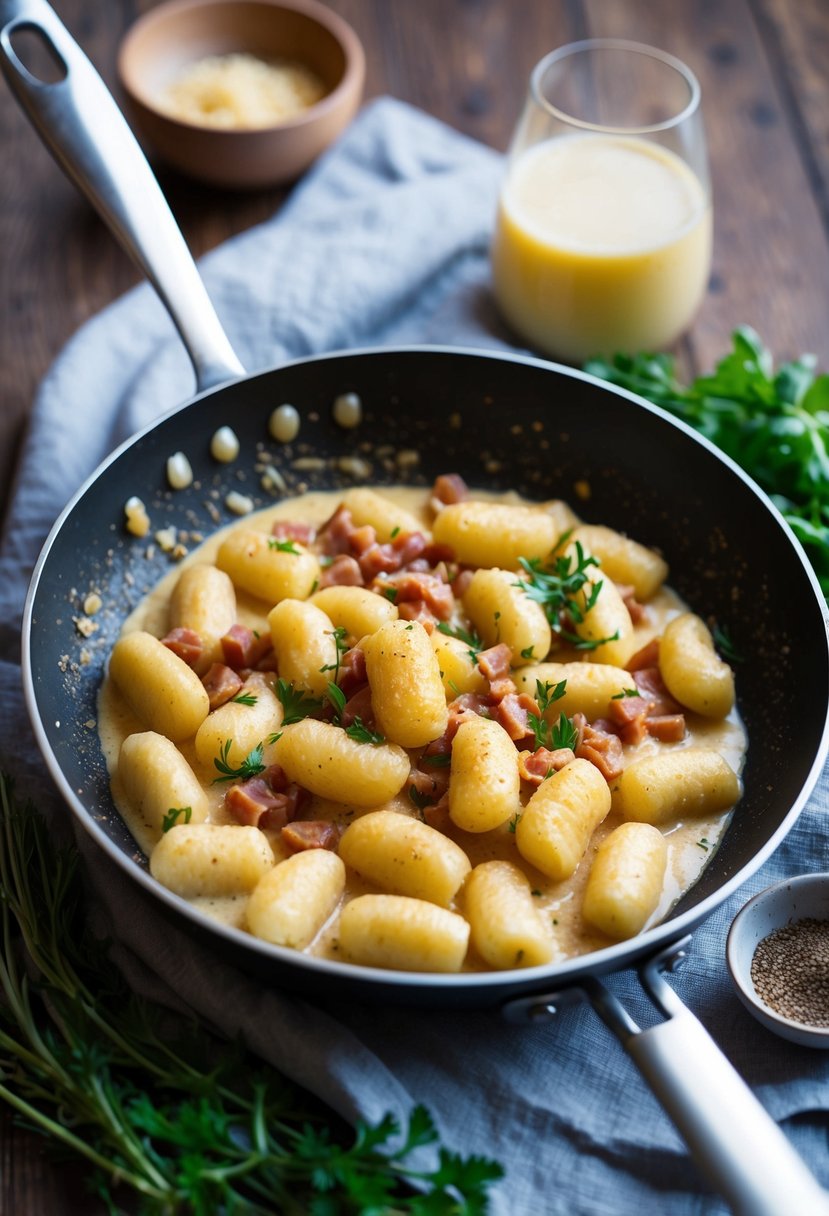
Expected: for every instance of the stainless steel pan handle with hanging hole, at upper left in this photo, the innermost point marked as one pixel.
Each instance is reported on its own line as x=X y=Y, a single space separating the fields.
x=83 y=128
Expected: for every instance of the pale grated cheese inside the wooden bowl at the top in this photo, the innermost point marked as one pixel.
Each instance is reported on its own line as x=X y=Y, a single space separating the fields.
x=241 y=91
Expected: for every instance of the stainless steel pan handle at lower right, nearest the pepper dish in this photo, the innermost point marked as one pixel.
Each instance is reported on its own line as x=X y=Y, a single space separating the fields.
x=731 y=1136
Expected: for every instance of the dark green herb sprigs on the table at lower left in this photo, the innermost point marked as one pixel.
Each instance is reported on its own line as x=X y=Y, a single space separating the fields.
x=193 y=1128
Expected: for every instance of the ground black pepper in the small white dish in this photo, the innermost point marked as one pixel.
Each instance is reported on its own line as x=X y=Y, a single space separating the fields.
x=791 y=972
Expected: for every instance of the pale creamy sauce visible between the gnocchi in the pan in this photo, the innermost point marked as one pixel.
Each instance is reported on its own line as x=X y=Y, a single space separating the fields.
x=691 y=846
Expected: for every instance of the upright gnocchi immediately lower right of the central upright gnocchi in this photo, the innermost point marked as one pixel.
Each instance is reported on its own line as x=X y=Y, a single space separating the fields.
x=484 y=786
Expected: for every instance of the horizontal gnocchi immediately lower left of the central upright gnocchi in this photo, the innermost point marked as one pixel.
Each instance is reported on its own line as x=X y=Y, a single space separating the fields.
x=326 y=761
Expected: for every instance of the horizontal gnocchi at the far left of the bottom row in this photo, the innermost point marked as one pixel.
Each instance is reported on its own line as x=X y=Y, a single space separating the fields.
x=211 y=860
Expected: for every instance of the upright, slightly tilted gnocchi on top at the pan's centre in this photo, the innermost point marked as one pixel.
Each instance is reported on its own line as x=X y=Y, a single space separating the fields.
x=401 y=662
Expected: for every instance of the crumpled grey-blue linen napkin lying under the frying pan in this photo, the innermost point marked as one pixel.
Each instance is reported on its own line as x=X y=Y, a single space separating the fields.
x=386 y=243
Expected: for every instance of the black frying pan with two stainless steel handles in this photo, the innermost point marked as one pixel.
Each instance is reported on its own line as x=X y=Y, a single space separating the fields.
x=503 y=423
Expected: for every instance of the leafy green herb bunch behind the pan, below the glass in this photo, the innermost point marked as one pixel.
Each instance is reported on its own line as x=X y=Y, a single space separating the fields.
x=774 y=424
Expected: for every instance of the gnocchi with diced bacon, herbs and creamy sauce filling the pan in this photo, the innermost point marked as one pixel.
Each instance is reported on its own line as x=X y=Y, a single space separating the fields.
x=424 y=735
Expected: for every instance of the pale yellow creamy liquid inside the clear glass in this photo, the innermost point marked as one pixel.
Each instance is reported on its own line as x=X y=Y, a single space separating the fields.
x=602 y=245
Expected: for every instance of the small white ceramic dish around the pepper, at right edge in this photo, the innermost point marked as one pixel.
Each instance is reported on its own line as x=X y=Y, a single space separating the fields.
x=794 y=899
